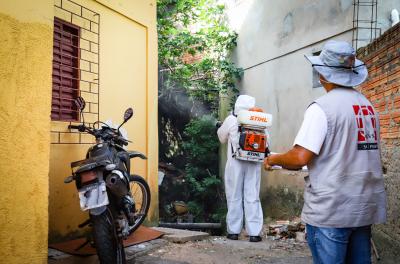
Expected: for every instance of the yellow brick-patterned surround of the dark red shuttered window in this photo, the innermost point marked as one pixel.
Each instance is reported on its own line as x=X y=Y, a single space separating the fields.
x=89 y=76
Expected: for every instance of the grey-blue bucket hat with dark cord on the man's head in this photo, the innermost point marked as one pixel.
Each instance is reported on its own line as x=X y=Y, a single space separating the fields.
x=338 y=64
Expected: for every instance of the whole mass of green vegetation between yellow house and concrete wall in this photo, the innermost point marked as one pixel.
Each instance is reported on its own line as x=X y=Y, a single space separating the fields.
x=194 y=45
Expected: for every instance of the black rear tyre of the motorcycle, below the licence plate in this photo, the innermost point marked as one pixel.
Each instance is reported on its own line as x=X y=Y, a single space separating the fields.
x=109 y=246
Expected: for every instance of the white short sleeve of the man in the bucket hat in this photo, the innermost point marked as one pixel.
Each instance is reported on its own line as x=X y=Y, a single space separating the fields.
x=313 y=129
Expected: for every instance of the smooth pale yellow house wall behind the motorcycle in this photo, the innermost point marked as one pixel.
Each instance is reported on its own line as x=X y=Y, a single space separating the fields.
x=127 y=78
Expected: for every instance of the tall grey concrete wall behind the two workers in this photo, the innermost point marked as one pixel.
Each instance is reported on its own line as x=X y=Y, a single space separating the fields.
x=273 y=38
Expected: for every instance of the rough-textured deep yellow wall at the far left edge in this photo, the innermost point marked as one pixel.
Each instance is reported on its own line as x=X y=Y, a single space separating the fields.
x=26 y=41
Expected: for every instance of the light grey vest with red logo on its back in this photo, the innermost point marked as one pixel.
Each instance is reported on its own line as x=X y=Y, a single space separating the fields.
x=345 y=186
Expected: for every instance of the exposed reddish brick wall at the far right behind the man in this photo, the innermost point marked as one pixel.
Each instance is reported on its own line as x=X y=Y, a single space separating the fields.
x=382 y=88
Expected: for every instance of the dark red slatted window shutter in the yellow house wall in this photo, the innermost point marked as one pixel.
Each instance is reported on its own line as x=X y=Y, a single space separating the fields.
x=66 y=73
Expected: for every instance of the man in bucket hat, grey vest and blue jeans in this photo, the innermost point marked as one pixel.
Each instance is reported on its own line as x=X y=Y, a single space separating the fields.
x=339 y=142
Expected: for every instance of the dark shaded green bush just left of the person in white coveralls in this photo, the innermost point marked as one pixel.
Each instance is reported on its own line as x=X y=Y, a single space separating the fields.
x=205 y=191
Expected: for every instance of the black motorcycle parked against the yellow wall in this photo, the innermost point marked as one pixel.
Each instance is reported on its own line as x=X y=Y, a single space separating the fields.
x=117 y=201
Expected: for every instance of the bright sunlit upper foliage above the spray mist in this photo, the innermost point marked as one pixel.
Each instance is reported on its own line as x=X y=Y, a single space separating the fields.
x=194 y=45
